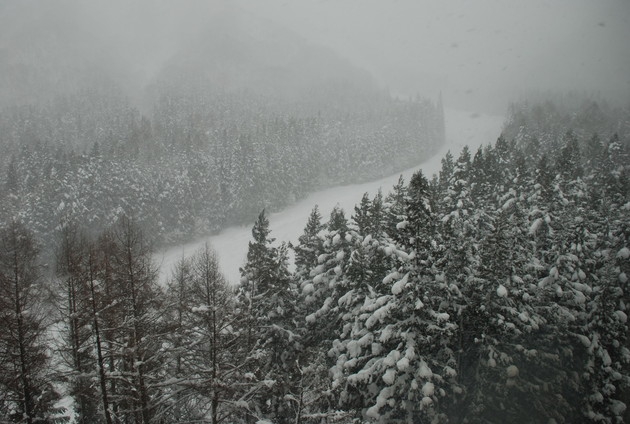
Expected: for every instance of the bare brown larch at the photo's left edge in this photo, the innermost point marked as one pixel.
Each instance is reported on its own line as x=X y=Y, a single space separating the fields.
x=27 y=393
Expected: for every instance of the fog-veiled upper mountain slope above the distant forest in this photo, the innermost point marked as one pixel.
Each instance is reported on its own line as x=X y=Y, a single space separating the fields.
x=56 y=48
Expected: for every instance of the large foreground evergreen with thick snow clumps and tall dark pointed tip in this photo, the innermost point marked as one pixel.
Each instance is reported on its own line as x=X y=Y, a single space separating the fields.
x=394 y=362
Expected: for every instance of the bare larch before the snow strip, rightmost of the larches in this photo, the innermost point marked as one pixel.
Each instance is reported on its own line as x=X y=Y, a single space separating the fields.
x=208 y=362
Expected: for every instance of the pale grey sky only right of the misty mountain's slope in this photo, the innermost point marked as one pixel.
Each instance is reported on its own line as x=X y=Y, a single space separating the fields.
x=471 y=50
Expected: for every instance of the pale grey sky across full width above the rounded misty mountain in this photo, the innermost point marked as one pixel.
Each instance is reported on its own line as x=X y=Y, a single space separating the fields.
x=479 y=53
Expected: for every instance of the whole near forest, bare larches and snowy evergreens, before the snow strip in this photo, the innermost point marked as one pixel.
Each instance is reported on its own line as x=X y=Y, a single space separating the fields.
x=496 y=291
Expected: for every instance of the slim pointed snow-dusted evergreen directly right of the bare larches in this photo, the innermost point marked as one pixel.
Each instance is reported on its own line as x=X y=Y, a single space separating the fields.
x=268 y=297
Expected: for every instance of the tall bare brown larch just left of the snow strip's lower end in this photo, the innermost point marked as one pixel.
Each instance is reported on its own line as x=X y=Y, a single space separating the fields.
x=140 y=329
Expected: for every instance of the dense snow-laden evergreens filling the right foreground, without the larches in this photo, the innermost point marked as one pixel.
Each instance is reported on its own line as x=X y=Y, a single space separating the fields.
x=494 y=293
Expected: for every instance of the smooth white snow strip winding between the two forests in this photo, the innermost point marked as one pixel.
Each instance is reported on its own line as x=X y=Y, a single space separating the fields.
x=462 y=128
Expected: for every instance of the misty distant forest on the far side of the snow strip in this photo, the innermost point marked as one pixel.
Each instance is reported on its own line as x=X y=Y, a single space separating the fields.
x=202 y=160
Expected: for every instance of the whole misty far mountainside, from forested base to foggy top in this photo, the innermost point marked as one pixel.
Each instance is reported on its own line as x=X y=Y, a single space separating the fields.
x=188 y=120
